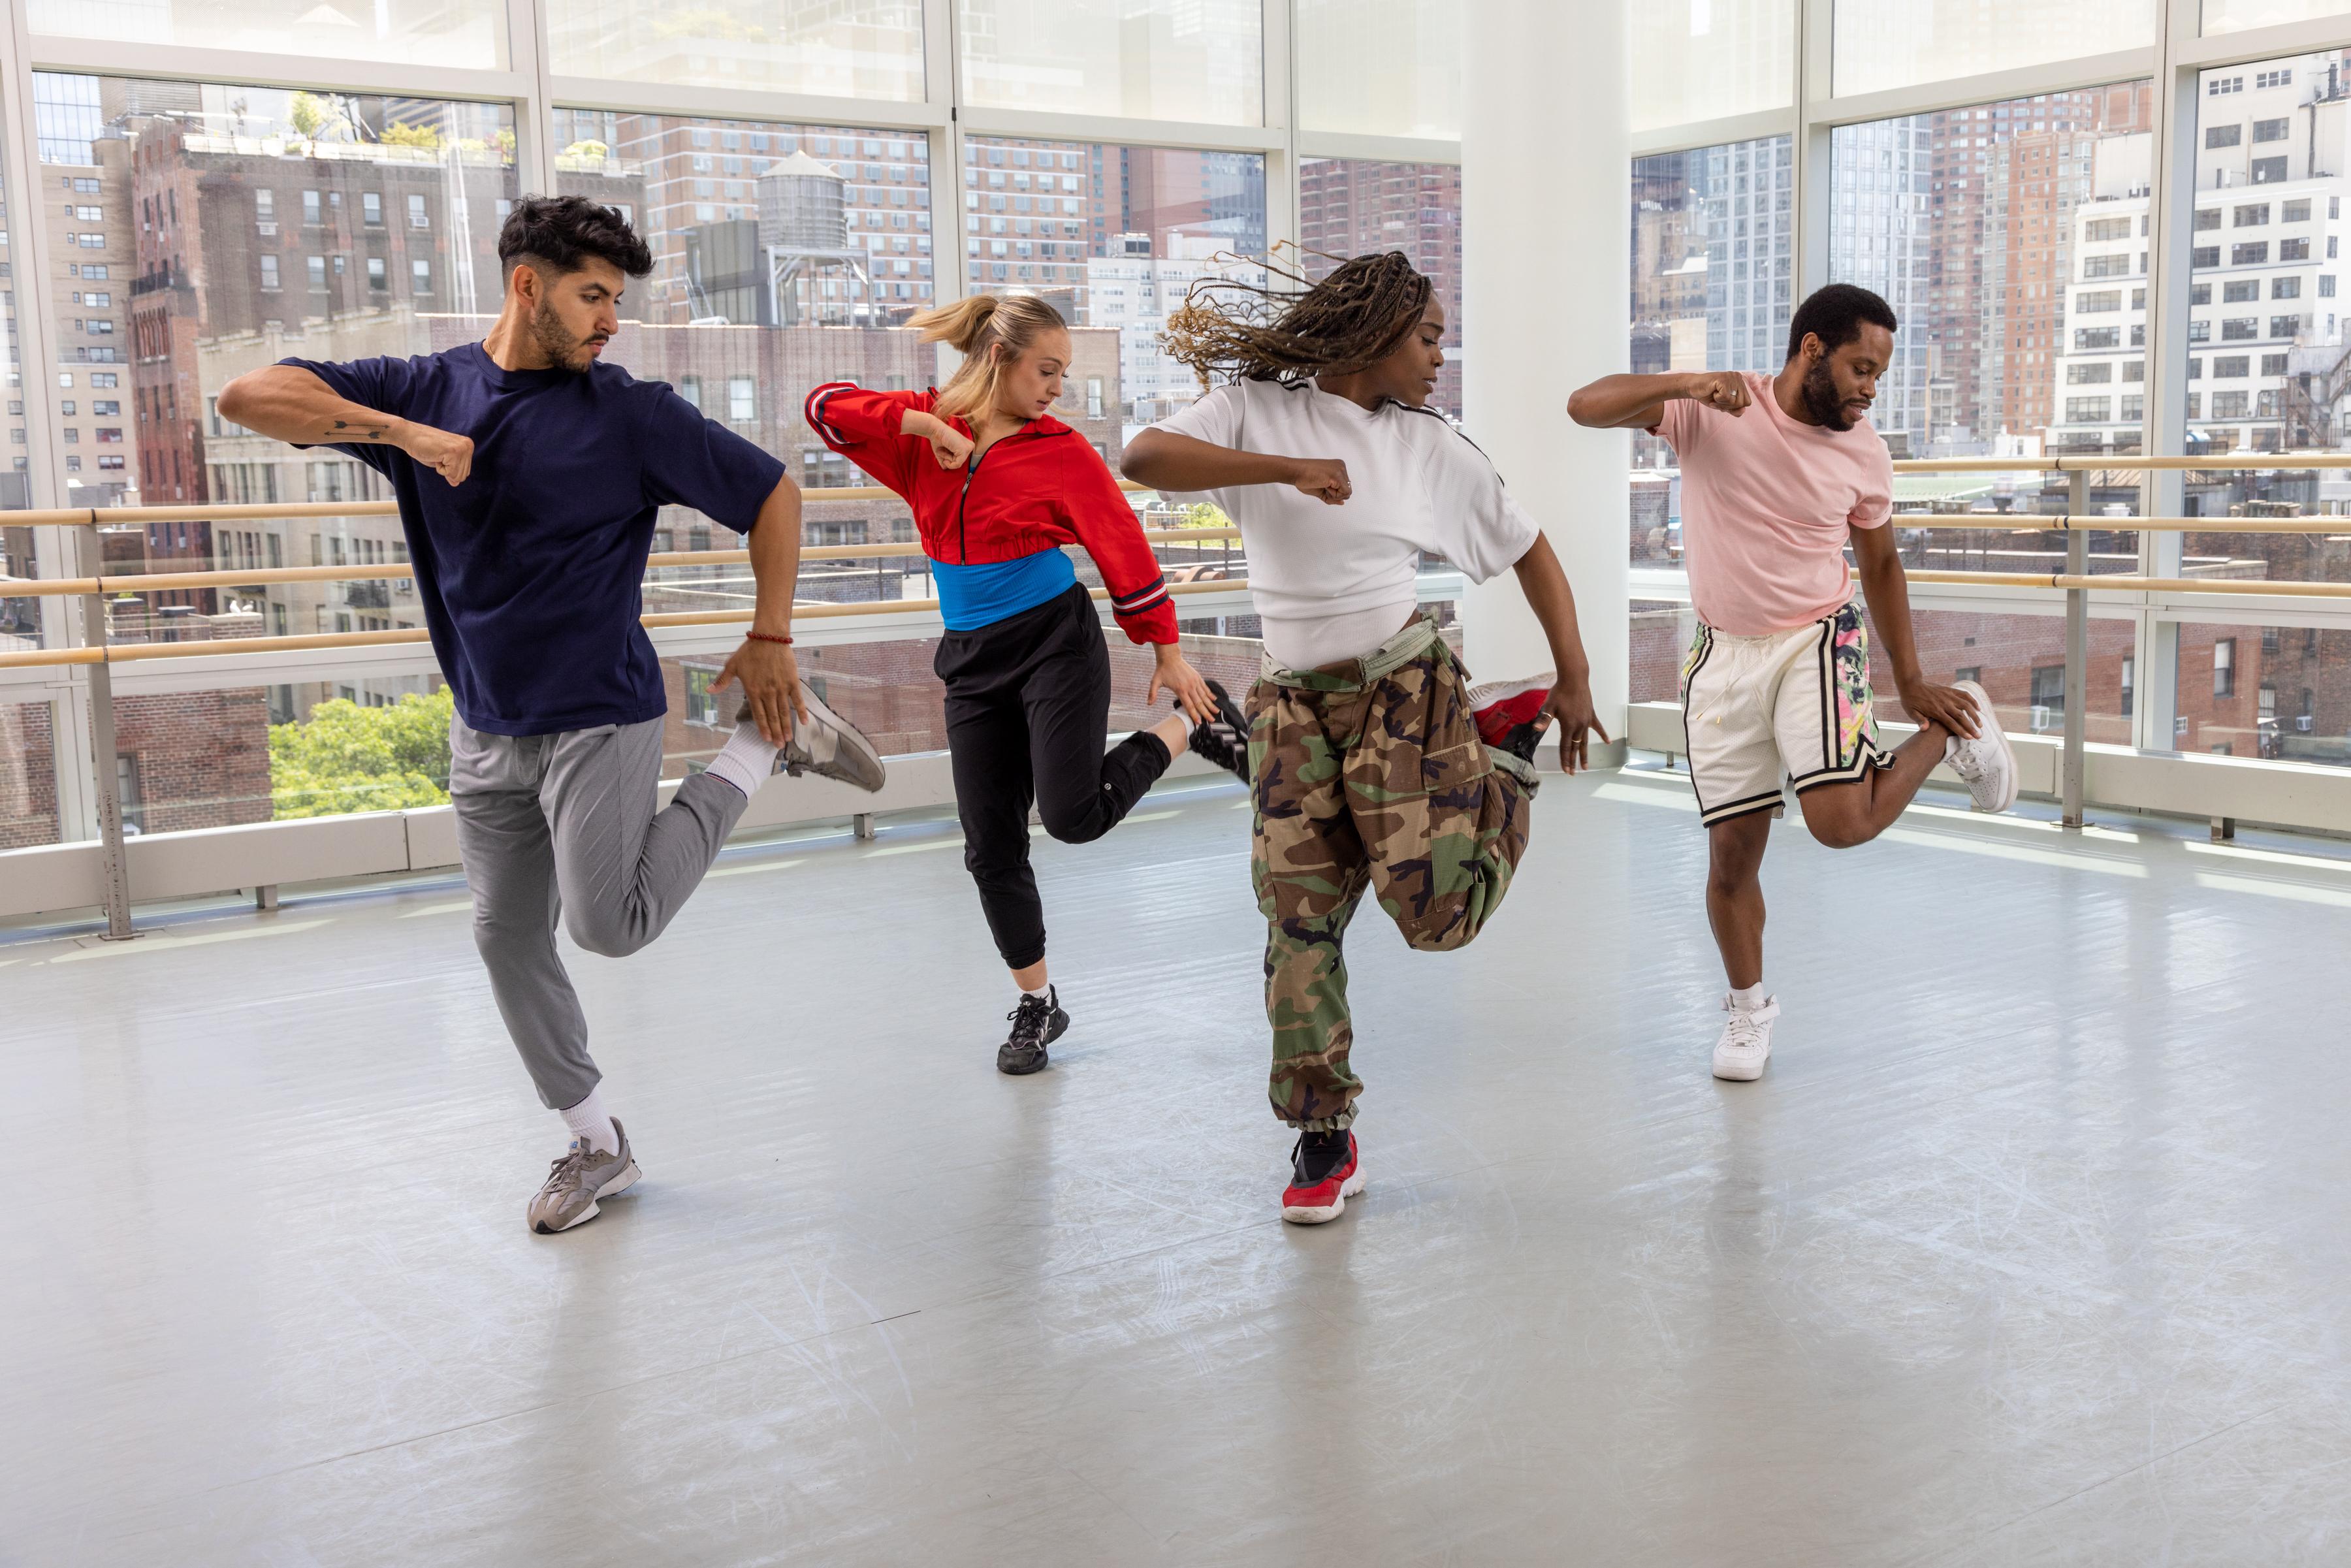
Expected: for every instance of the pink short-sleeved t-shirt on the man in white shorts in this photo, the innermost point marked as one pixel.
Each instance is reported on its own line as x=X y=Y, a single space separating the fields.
x=1767 y=504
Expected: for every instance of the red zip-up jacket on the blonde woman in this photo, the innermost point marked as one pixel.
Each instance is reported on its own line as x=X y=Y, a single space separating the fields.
x=1036 y=490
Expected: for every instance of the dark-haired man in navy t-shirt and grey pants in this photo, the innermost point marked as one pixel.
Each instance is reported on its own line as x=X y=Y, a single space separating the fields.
x=528 y=476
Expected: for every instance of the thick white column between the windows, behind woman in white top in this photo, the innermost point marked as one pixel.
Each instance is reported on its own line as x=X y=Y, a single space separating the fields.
x=1546 y=304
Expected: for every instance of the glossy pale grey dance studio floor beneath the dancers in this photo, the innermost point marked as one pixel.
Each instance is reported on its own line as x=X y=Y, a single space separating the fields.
x=2030 y=1247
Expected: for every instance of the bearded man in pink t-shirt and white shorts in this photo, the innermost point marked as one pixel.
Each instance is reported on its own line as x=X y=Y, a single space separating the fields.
x=1779 y=476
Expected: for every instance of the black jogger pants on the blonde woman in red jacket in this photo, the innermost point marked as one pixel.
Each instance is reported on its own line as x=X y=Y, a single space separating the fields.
x=1029 y=709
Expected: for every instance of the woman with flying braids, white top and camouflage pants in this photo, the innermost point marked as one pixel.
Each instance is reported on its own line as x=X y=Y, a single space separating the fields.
x=1377 y=763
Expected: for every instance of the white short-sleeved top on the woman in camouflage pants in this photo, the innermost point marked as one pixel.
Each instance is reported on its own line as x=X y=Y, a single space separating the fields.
x=1337 y=582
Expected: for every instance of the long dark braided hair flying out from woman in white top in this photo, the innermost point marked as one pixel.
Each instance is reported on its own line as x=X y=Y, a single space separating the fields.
x=1351 y=321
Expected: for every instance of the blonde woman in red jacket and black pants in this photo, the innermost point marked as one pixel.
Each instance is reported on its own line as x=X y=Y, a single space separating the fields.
x=998 y=485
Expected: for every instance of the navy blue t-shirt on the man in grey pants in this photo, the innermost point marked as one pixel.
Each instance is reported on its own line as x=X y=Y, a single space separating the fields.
x=533 y=570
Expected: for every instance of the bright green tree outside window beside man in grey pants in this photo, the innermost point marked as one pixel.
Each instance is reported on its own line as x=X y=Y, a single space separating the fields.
x=354 y=758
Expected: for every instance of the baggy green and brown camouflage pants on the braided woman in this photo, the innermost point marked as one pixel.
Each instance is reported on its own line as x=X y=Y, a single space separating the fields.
x=1369 y=777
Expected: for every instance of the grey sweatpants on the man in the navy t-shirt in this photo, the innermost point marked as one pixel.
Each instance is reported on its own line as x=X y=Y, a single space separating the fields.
x=565 y=829
